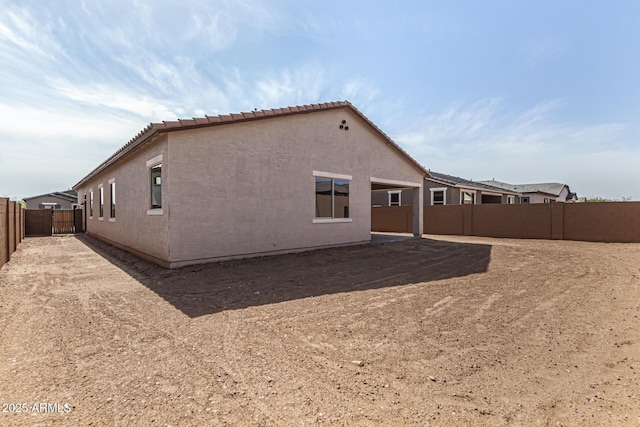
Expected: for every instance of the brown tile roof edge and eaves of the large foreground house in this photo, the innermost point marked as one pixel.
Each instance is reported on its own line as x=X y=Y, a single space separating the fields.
x=154 y=129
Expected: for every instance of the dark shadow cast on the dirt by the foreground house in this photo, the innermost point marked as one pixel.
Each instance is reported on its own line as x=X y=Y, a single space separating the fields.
x=230 y=285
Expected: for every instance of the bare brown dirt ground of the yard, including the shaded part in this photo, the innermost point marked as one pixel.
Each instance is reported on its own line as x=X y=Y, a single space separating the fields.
x=457 y=331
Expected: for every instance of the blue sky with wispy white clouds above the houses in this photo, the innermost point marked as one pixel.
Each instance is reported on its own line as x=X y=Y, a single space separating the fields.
x=517 y=91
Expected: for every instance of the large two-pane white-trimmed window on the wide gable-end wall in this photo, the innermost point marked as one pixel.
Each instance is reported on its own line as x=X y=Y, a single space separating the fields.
x=331 y=197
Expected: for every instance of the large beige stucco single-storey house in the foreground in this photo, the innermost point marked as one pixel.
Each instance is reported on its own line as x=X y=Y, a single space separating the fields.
x=248 y=184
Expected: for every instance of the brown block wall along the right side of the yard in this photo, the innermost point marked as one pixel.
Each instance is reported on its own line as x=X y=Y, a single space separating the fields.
x=595 y=222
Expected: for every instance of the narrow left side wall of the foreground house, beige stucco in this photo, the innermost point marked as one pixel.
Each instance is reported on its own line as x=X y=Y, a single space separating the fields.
x=133 y=229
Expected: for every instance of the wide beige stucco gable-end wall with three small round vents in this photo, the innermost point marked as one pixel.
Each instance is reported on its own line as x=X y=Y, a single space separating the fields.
x=249 y=188
